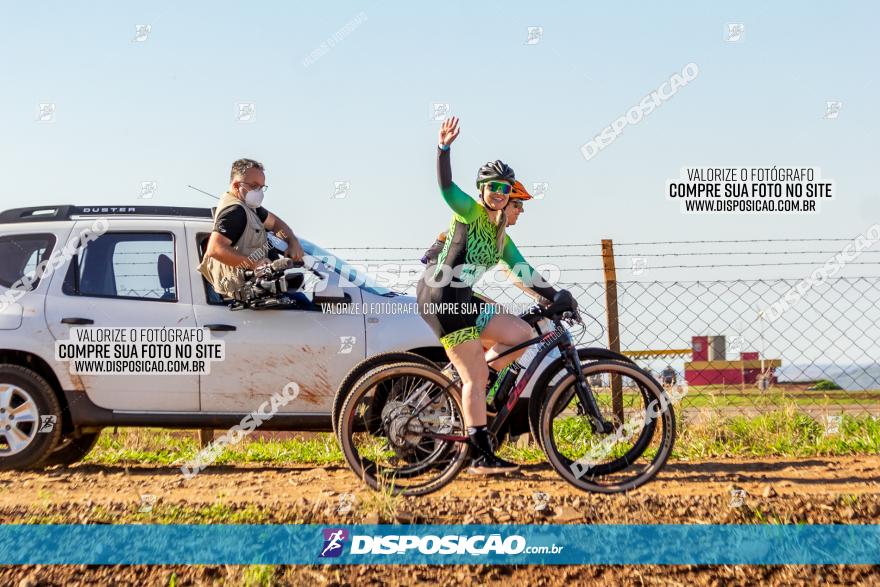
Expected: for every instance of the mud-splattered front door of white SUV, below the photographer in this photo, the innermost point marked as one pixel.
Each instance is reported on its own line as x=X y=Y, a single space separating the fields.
x=267 y=349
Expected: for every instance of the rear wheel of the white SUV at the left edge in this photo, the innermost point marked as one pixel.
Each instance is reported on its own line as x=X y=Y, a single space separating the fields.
x=22 y=444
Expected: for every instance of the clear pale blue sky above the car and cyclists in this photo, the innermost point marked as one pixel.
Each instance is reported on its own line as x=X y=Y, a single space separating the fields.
x=163 y=109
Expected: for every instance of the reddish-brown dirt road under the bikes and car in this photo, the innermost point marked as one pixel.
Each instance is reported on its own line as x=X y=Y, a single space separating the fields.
x=812 y=490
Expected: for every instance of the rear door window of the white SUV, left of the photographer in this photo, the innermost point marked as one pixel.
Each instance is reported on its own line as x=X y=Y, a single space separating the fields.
x=131 y=265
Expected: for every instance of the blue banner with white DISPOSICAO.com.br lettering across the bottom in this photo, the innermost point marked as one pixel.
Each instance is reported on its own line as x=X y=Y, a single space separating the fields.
x=439 y=544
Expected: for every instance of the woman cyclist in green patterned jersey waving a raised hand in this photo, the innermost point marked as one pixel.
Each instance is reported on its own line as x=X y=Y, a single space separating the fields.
x=476 y=241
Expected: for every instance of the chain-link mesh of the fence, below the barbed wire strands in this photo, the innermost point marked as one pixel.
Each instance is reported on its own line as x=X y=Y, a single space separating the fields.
x=740 y=357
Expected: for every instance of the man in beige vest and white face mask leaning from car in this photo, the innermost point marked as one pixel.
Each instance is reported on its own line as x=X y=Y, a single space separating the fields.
x=239 y=241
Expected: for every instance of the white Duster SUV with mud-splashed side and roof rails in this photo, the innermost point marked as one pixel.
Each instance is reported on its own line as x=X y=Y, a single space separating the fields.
x=141 y=272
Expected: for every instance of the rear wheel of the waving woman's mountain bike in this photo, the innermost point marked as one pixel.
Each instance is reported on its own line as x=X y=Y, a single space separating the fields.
x=395 y=428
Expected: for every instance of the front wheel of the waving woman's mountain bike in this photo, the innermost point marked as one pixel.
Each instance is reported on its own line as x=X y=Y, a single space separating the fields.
x=624 y=459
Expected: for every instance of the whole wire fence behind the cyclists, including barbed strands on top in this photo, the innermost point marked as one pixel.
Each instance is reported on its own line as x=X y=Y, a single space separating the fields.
x=742 y=346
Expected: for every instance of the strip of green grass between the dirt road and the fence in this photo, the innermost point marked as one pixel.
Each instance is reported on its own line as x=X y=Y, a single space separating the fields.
x=782 y=433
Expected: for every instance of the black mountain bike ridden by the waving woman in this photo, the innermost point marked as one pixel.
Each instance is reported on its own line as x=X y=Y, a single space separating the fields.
x=605 y=425
